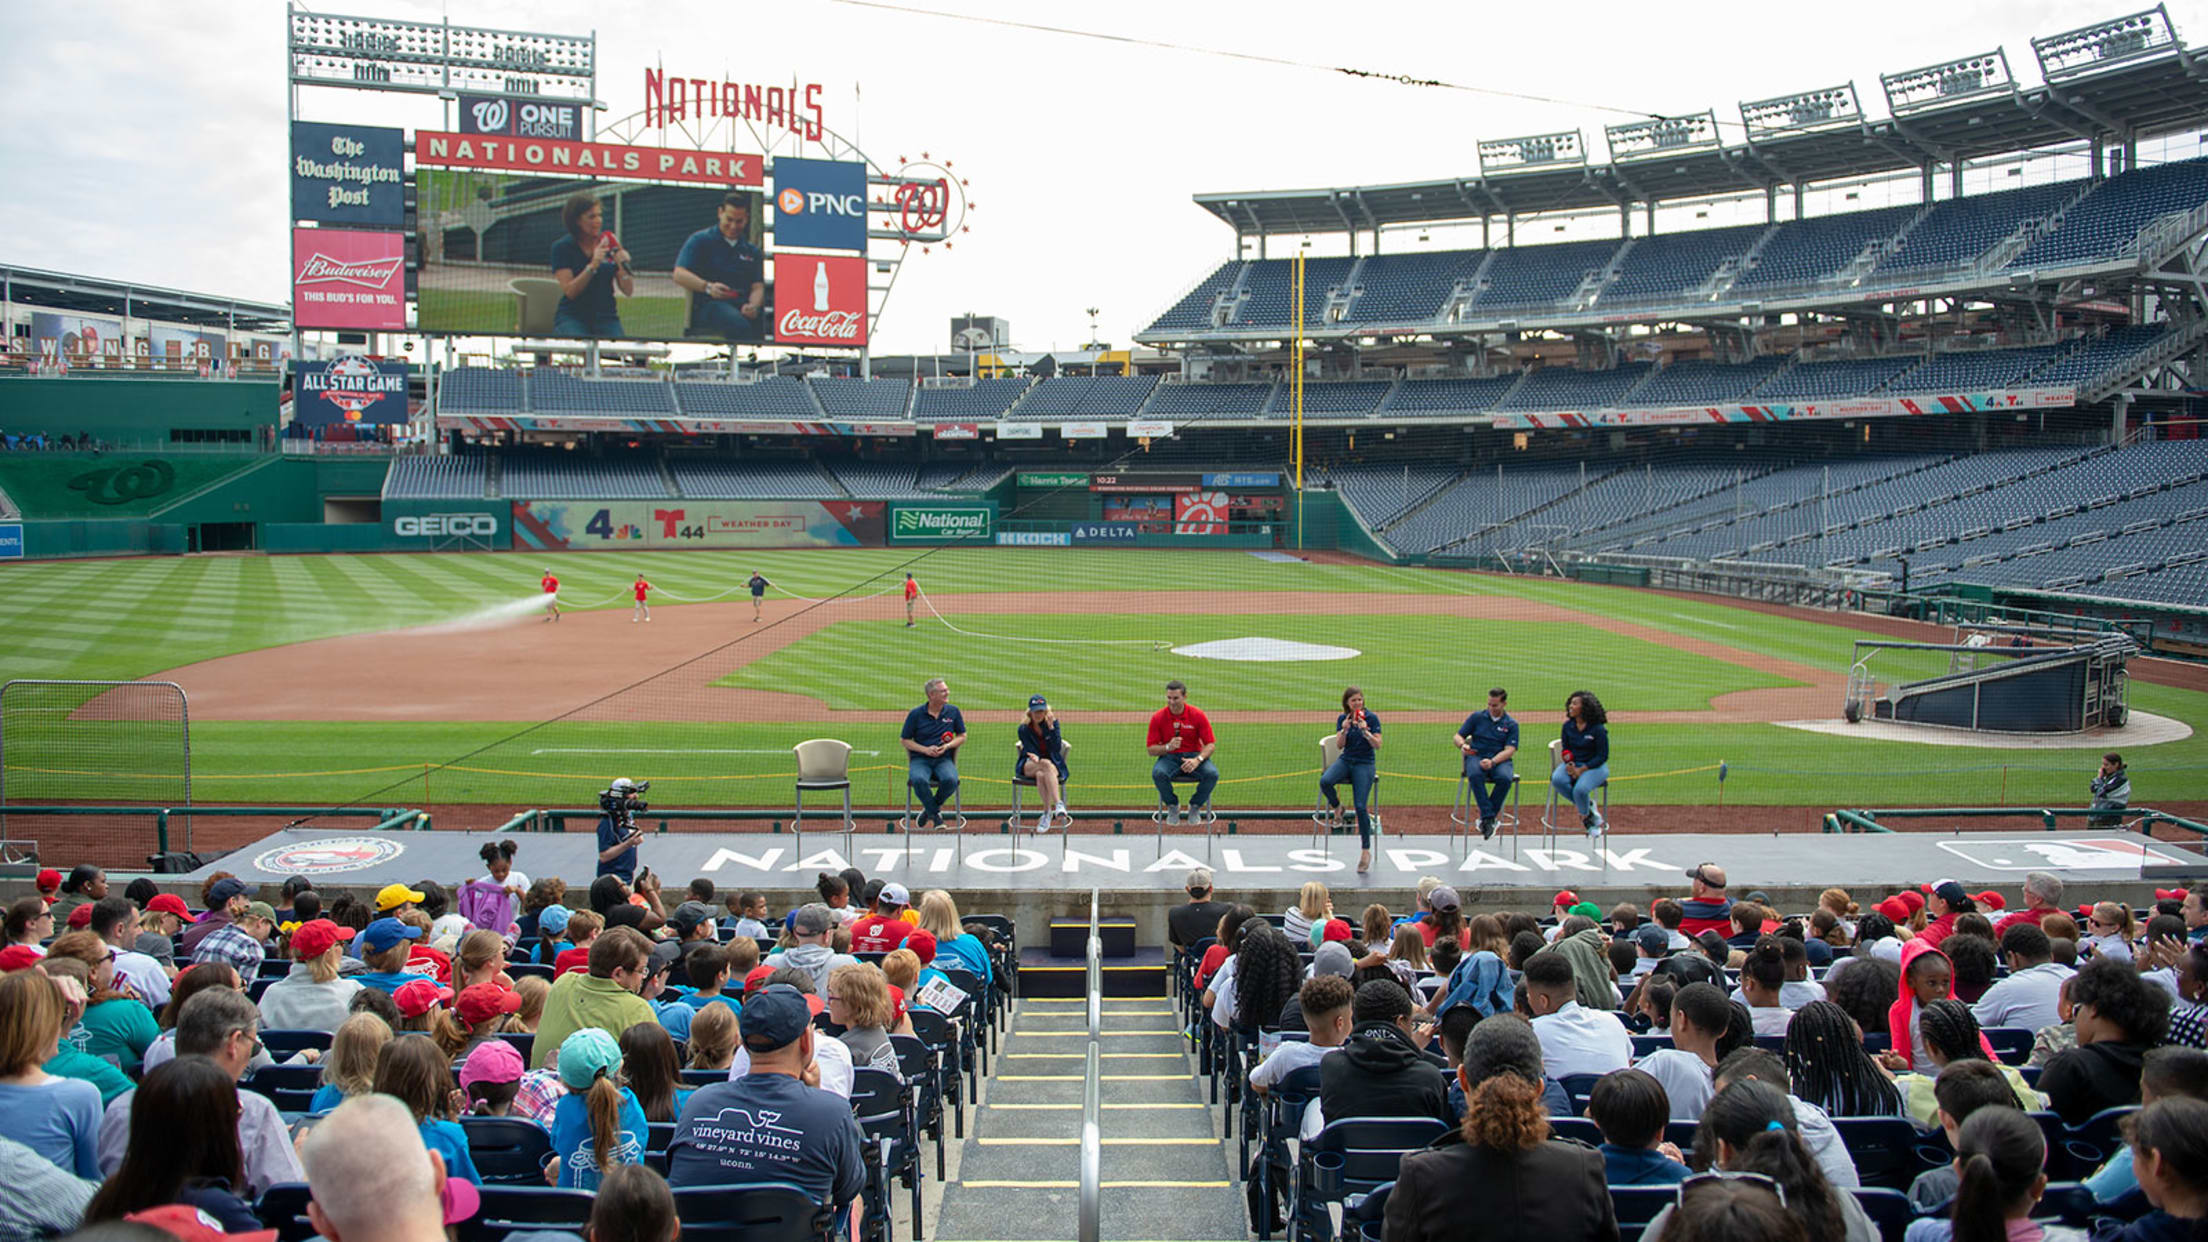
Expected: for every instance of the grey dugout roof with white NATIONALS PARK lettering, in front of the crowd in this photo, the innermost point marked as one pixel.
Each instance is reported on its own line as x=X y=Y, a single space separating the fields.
x=1140 y=876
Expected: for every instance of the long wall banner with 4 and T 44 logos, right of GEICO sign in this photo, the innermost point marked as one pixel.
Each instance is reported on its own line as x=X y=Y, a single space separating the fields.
x=560 y=525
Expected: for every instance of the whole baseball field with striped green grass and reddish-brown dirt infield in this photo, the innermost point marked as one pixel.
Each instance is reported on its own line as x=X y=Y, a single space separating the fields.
x=434 y=682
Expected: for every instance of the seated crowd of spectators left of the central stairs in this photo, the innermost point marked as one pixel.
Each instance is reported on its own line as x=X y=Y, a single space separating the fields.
x=131 y=1027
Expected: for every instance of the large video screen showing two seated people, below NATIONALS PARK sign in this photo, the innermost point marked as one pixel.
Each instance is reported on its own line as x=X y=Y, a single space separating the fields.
x=496 y=244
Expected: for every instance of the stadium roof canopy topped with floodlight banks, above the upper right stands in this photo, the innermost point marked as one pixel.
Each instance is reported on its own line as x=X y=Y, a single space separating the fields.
x=2112 y=83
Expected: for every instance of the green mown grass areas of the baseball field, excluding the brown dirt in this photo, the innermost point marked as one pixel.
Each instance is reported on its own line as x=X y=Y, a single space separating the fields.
x=134 y=618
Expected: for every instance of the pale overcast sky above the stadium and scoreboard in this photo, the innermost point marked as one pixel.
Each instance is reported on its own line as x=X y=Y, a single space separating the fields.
x=149 y=140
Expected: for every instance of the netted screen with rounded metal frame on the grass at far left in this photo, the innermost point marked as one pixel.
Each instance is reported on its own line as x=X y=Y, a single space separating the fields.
x=89 y=761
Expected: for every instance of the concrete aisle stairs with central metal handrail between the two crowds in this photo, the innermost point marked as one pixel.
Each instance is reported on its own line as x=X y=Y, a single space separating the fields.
x=1165 y=1170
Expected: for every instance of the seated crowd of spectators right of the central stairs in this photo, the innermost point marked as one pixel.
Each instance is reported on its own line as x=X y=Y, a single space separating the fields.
x=1938 y=1007
